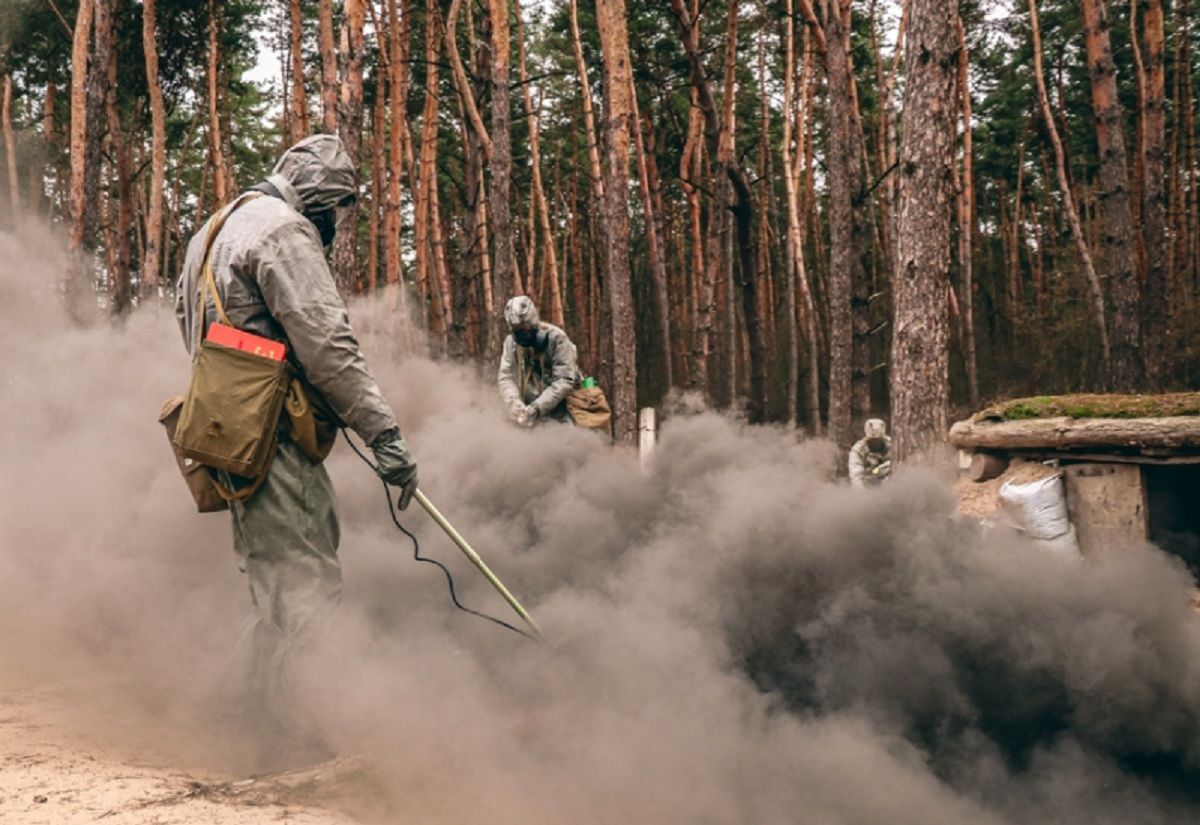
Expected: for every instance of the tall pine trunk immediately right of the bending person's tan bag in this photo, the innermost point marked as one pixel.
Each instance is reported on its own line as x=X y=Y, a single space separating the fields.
x=619 y=127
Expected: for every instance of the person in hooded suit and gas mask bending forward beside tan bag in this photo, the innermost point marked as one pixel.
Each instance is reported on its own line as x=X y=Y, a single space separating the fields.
x=539 y=366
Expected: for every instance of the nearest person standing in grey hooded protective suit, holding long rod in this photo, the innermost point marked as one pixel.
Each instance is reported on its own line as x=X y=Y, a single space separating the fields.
x=271 y=272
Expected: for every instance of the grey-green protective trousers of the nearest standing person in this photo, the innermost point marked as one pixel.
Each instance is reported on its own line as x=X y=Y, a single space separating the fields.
x=286 y=538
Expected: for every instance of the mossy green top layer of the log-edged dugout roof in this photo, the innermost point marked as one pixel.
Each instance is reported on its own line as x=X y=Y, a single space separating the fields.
x=1094 y=407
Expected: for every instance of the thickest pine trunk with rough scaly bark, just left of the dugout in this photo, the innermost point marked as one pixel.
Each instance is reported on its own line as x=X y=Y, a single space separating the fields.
x=921 y=329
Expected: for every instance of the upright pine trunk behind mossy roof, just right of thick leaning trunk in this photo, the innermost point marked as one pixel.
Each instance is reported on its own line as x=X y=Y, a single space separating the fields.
x=1156 y=318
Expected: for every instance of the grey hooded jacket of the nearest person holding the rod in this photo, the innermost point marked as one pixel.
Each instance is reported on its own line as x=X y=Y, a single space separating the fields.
x=273 y=279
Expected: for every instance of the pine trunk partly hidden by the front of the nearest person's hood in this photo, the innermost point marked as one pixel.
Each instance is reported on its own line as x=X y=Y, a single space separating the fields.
x=350 y=123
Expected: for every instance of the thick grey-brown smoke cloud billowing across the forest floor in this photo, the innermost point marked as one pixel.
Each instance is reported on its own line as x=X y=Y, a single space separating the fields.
x=737 y=639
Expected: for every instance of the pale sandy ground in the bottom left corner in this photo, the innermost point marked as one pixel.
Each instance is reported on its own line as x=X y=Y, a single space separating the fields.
x=51 y=774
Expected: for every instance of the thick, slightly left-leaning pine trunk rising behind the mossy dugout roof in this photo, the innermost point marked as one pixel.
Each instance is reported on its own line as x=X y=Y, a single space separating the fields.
x=1126 y=375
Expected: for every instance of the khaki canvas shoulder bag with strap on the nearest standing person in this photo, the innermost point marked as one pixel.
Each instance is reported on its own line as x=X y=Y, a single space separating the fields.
x=233 y=405
